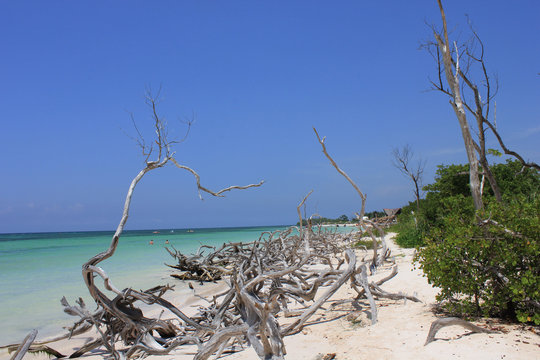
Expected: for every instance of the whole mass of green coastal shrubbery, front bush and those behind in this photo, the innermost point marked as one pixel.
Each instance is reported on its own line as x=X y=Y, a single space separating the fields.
x=485 y=262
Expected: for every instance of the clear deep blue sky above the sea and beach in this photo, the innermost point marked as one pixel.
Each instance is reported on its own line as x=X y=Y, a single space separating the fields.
x=257 y=75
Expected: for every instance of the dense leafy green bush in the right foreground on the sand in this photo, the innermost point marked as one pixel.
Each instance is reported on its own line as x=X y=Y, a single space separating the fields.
x=487 y=263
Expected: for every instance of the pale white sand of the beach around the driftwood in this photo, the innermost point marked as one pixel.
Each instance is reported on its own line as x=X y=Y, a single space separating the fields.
x=399 y=334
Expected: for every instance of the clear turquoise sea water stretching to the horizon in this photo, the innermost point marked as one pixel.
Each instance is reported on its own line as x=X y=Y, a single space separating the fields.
x=37 y=269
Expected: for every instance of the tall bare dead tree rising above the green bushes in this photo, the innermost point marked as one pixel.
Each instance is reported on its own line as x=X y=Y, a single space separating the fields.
x=459 y=65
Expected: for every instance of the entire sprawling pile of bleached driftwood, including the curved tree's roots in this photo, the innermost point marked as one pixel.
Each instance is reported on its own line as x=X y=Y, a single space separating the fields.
x=275 y=286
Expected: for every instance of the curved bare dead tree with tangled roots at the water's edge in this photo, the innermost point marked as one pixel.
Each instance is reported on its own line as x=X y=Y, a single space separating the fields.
x=120 y=319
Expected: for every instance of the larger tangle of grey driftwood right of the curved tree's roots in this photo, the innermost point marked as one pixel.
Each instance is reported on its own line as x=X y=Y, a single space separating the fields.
x=265 y=279
